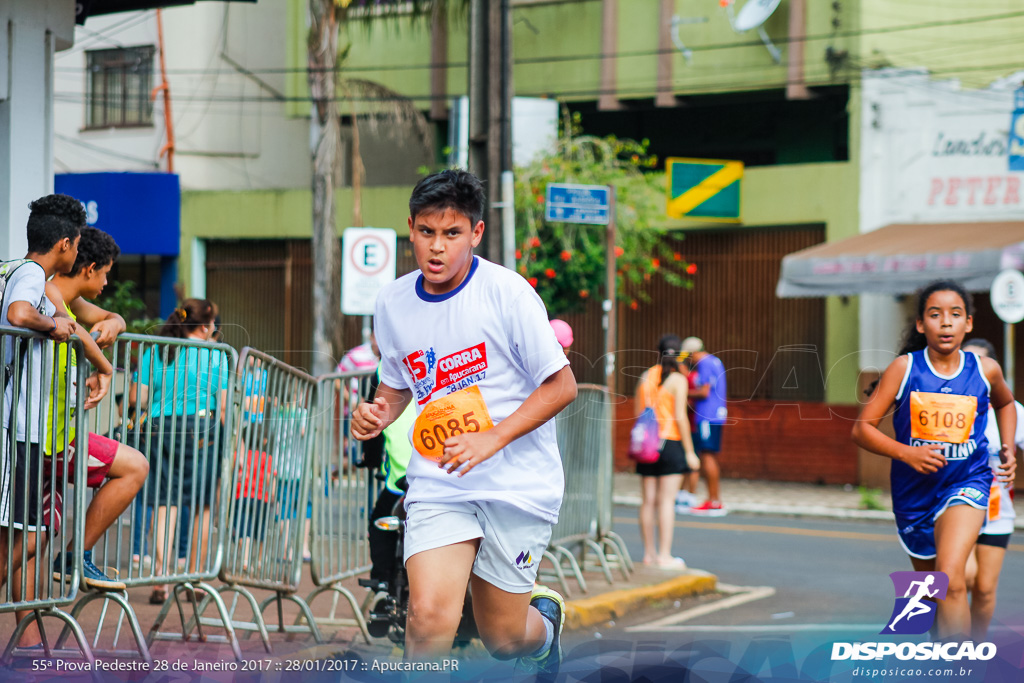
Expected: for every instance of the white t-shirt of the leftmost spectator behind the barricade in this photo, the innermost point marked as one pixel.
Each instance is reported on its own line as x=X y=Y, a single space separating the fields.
x=28 y=284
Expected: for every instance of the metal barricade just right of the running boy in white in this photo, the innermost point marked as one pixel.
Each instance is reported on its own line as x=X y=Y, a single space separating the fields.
x=584 y=435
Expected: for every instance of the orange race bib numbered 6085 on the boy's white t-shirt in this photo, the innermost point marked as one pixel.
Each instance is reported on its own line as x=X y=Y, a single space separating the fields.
x=459 y=413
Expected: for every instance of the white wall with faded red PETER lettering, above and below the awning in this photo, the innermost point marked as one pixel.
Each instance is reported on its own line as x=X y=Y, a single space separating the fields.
x=931 y=153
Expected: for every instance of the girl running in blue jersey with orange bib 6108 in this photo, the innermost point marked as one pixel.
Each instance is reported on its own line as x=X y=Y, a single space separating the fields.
x=940 y=397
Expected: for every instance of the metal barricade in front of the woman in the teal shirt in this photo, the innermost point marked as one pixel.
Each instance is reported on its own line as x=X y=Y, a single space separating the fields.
x=170 y=400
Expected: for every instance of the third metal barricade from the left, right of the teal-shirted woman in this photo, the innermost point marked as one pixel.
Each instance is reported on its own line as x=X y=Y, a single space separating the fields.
x=270 y=487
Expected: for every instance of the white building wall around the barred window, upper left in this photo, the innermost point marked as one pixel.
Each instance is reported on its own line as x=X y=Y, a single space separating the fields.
x=231 y=131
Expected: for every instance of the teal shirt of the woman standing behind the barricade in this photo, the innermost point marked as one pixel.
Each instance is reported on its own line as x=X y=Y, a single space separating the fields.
x=187 y=387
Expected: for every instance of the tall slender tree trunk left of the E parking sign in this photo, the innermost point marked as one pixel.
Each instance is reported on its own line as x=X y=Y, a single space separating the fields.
x=323 y=51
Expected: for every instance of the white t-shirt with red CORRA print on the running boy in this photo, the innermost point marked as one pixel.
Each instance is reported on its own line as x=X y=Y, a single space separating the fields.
x=490 y=335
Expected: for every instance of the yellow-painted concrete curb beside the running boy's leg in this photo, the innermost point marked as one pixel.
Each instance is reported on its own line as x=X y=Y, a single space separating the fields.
x=588 y=613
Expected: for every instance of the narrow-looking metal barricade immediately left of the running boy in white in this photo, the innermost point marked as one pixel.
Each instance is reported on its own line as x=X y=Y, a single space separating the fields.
x=345 y=494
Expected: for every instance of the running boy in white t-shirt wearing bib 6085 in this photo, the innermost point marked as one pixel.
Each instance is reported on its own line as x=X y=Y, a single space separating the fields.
x=471 y=343
